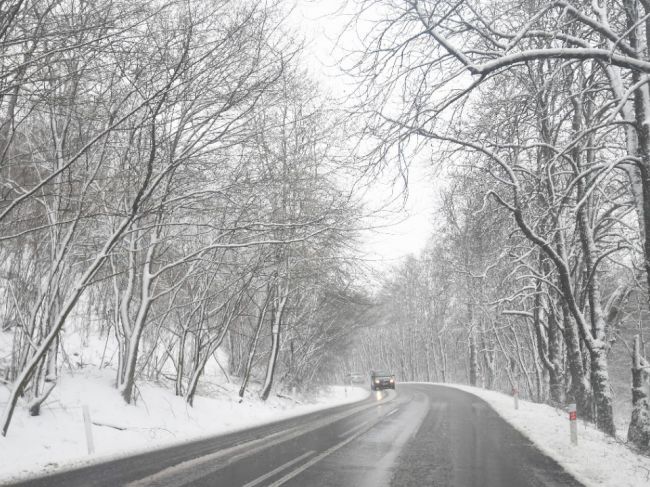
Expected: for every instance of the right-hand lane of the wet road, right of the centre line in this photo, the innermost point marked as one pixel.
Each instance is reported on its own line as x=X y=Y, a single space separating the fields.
x=437 y=436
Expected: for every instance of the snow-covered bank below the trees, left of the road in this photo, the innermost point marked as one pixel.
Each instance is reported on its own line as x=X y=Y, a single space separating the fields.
x=56 y=439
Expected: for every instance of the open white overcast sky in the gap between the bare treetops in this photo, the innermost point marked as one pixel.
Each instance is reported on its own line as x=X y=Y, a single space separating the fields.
x=406 y=232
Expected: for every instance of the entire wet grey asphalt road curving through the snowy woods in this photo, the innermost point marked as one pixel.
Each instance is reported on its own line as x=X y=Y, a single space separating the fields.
x=422 y=435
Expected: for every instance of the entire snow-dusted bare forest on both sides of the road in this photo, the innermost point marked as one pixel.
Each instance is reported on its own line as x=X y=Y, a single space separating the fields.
x=174 y=180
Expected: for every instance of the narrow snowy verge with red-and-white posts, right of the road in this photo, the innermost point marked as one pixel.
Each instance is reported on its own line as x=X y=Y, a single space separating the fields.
x=597 y=460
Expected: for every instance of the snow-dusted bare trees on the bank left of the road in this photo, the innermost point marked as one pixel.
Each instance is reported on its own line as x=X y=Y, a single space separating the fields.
x=167 y=166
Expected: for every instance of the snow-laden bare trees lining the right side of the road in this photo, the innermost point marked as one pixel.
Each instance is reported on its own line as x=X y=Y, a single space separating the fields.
x=541 y=109
